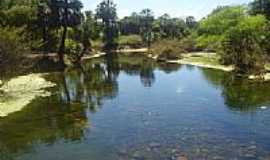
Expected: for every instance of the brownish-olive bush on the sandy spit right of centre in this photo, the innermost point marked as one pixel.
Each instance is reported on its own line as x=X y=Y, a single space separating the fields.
x=167 y=49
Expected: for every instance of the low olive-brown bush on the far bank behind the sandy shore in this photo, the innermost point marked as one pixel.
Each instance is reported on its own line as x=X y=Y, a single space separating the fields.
x=133 y=41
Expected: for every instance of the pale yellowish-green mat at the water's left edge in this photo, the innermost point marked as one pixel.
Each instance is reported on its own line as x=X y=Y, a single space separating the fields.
x=20 y=91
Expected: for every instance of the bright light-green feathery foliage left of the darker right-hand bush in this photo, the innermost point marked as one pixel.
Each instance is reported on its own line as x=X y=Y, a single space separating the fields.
x=211 y=29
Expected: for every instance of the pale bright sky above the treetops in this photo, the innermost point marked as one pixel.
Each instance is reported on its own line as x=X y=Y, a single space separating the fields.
x=175 y=8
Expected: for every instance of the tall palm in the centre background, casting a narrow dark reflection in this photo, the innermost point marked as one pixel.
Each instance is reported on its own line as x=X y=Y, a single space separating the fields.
x=146 y=22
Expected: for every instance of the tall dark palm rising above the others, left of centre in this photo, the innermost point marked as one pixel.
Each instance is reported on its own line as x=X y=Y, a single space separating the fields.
x=106 y=11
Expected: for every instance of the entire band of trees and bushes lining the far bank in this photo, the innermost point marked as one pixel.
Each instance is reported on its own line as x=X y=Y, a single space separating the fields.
x=240 y=34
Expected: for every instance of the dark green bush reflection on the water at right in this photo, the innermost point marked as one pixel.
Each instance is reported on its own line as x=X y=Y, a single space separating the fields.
x=240 y=94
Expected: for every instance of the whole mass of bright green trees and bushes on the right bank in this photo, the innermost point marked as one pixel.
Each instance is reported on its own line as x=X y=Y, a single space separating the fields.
x=240 y=34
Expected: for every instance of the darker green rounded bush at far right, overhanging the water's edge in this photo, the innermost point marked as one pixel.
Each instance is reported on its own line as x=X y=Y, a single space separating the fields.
x=243 y=45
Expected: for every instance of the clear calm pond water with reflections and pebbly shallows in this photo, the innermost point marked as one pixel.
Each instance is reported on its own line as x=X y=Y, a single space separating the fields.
x=132 y=108
